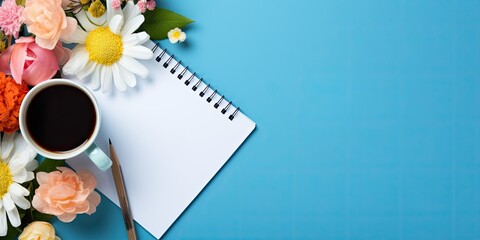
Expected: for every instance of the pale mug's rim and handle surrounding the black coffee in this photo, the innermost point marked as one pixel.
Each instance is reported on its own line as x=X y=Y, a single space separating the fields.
x=89 y=147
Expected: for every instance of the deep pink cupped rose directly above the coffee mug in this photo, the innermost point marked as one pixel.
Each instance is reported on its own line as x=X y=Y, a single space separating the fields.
x=26 y=61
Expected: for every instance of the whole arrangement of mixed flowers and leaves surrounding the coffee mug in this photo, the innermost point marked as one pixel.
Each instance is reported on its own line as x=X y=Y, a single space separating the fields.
x=105 y=40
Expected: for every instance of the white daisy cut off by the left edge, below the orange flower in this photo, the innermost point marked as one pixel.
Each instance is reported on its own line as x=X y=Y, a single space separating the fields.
x=16 y=167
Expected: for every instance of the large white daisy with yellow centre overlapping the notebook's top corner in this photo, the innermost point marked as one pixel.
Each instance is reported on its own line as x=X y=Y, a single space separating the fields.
x=107 y=52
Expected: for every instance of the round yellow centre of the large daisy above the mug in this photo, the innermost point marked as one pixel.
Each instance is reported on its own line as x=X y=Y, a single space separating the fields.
x=104 y=46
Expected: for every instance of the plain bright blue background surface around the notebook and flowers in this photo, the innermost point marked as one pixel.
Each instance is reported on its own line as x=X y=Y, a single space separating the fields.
x=368 y=121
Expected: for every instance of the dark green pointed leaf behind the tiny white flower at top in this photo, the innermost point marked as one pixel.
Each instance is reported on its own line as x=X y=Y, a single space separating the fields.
x=159 y=21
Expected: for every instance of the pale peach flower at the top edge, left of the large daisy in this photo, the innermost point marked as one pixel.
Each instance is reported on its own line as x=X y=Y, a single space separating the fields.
x=47 y=20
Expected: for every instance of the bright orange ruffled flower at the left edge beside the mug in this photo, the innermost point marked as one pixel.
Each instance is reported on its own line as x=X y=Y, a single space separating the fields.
x=11 y=96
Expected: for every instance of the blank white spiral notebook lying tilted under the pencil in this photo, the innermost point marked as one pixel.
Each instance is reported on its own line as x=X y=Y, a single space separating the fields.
x=172 y=133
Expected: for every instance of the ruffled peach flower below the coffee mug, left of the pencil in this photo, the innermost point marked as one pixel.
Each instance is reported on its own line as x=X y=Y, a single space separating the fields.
x=65 y=193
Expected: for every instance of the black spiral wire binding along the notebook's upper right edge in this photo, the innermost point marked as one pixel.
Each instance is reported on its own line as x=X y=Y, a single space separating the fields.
x=209 y=99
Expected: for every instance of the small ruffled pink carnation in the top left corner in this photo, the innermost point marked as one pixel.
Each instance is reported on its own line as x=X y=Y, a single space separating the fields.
x=11 y=18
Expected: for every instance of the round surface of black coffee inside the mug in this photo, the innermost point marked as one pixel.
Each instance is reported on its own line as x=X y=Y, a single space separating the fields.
x=60 y=118
